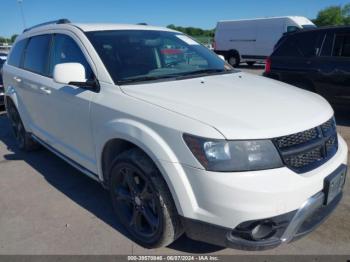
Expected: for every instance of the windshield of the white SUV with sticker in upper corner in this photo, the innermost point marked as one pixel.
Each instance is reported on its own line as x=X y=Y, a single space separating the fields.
x=145 y=55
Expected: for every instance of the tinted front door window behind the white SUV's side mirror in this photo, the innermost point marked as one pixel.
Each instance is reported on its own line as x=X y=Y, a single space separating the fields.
x=66 y=50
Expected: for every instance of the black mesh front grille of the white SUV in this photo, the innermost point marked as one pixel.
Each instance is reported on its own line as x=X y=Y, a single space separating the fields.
x=309 y=149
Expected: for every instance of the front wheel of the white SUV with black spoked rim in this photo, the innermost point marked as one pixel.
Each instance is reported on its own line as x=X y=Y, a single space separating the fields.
x=142 y=200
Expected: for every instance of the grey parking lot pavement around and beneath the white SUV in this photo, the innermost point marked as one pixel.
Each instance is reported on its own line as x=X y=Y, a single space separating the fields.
x=48 y=207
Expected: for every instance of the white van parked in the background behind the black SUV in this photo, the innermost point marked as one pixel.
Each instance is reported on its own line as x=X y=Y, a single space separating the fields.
x=253 y=40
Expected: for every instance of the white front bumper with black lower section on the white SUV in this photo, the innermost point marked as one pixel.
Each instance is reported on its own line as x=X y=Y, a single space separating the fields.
x=223 y=201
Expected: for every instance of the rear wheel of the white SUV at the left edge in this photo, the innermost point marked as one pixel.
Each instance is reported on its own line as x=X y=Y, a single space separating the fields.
x=24 y=139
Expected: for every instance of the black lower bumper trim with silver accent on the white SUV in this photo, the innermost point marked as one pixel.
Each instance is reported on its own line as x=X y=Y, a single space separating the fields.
x=289 y=227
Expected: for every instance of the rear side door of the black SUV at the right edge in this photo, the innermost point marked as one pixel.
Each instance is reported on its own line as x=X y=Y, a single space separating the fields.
x=333 y=79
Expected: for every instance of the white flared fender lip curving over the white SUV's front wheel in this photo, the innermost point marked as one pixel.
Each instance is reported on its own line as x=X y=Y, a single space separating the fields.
x=157 y=149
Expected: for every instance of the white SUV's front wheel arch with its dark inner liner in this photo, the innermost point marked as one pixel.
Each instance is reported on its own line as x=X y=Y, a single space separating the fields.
x=126 y=134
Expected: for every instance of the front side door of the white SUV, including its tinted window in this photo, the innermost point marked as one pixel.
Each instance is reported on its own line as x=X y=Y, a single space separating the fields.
x=68 y=116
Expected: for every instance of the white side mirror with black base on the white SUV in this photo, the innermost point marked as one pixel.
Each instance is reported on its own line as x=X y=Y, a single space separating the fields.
x=73 y=74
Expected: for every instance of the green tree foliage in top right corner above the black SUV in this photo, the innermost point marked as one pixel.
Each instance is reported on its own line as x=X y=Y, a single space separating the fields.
x=333 y=15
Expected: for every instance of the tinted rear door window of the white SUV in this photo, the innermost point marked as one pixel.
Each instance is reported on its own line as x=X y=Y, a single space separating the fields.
x=36 y=54
